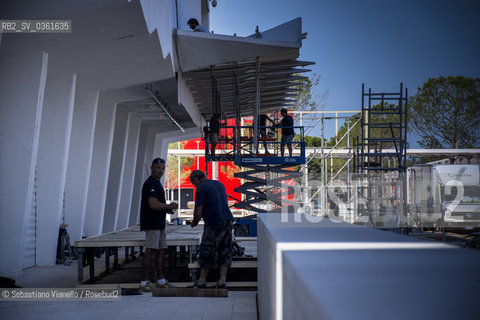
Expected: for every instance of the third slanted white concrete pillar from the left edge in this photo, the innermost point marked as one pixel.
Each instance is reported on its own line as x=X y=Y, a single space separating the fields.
x=79 y=162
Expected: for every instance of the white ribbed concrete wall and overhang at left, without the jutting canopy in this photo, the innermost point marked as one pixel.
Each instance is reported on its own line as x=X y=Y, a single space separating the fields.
x=62 y=132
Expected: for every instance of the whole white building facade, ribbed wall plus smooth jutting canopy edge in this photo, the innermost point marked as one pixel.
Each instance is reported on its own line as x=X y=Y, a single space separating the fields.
x=84 y=113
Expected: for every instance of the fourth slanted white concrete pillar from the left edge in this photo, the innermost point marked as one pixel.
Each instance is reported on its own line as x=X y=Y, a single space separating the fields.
x=102 y=148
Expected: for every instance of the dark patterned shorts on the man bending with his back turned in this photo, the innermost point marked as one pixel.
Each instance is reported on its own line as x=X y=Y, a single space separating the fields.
x=216 y=246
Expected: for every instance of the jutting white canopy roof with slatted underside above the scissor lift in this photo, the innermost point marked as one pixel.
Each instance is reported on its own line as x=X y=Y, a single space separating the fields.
x=230 y=63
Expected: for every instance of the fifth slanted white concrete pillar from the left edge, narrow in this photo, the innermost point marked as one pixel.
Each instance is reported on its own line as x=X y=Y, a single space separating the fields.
x=116 y=164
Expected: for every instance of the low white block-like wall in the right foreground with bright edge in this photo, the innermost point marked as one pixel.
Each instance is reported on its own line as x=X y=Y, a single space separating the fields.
x=328 y=270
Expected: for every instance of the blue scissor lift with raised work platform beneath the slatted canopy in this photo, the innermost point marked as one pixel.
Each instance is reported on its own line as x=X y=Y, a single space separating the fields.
x=266 y=172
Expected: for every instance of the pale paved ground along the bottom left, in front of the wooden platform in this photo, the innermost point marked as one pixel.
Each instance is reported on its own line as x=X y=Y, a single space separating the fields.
x=239 y=305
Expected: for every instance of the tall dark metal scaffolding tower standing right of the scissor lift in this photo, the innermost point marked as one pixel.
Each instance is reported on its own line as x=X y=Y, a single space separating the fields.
x=381 y=175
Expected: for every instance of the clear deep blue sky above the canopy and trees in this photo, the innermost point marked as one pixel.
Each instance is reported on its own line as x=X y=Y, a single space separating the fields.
x=377 y=42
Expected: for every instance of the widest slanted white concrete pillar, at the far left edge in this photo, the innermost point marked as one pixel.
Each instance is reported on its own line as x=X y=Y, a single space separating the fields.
x=22 y=85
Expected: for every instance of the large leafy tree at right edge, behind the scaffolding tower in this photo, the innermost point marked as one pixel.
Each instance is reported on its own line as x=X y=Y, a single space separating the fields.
x=445 y=113
